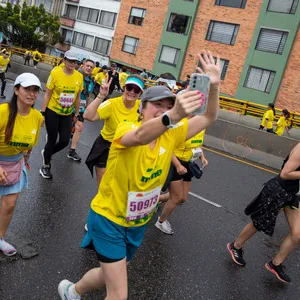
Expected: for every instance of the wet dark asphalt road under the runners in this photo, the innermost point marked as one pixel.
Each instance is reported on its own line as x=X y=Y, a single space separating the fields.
x=192 y=264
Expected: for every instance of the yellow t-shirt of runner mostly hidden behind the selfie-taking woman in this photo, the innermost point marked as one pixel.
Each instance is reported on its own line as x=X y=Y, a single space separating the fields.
x=184 y=151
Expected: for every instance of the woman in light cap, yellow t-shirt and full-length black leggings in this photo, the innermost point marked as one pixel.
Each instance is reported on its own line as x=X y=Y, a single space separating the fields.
x=62 y=95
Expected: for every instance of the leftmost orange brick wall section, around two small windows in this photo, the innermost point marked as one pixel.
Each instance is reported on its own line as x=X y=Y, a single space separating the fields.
x=149 y=34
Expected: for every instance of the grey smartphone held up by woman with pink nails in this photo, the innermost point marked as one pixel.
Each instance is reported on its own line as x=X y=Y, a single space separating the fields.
x=201 y=83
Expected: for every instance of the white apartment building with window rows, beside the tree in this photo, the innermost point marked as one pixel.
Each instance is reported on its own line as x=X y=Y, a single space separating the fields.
x=88 y=26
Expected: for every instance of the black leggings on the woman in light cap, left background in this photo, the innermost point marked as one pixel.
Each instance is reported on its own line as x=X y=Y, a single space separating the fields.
x=56 y=125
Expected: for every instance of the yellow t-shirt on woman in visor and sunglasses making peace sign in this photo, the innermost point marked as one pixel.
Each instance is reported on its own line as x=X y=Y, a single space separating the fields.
x=114 y=111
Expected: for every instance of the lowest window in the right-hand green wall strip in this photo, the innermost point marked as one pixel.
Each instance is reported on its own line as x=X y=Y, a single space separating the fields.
x=259 y=79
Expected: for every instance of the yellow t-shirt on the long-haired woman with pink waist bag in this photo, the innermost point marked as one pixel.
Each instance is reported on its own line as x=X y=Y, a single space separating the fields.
x=25 y=133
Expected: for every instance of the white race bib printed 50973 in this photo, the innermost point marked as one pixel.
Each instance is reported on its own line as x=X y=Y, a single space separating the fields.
x=141 y=204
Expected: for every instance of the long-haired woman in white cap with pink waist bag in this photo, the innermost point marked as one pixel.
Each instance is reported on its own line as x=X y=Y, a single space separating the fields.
x=20 y=126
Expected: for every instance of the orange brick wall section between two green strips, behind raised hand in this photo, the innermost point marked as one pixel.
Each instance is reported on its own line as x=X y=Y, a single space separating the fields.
x=247 y=18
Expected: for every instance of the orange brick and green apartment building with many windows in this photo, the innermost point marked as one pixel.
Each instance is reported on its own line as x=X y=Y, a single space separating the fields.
x=256 y=40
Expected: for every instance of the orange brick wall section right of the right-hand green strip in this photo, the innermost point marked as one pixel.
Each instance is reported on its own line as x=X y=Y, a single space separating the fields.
x=289 y=94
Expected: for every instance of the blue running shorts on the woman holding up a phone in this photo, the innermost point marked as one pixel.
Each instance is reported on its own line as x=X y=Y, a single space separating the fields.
x=111 y=241
